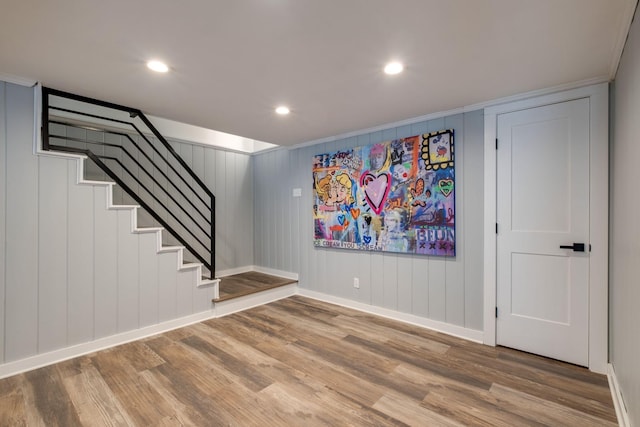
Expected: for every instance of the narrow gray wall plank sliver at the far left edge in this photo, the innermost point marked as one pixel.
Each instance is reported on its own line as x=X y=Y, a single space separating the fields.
x=3 y=195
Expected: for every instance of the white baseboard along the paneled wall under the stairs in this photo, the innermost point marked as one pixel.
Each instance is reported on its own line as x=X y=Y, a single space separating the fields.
x=56 y=356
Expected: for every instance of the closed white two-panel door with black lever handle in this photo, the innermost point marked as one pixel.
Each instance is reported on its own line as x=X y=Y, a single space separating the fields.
x=543 y=204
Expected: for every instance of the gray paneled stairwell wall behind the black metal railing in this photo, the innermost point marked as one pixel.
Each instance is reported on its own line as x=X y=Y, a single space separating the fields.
x=227 y=174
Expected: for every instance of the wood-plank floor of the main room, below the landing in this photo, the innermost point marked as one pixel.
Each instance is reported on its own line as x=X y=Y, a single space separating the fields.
x=301 y=362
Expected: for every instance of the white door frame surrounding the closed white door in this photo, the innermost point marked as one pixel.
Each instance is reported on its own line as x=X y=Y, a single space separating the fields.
x=598 y=213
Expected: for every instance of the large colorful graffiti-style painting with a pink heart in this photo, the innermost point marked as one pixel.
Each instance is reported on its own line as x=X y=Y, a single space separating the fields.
x=394 y=196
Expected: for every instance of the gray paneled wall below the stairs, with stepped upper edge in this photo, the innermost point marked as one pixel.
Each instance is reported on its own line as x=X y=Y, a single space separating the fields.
x=72 y=271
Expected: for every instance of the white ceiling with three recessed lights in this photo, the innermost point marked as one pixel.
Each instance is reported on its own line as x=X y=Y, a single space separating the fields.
x=233 y=61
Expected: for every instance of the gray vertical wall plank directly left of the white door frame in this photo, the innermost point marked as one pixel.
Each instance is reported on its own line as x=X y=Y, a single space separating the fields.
x=473 y=219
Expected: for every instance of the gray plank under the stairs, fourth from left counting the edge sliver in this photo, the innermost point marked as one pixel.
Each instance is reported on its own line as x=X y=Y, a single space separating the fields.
x=80 y=262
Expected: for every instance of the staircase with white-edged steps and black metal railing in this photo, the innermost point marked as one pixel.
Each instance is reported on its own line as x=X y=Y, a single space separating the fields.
x=122 y=151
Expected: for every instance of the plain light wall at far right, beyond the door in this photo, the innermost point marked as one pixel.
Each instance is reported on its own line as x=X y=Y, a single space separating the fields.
x=624 y=265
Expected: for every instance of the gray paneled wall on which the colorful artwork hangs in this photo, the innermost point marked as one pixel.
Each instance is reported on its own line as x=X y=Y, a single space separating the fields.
x=442 y=289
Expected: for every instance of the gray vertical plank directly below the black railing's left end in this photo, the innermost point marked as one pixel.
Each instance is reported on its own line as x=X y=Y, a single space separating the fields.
x=52 y=253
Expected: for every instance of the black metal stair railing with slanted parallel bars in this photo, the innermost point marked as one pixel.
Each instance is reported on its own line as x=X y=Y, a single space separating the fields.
x=195 y=231
